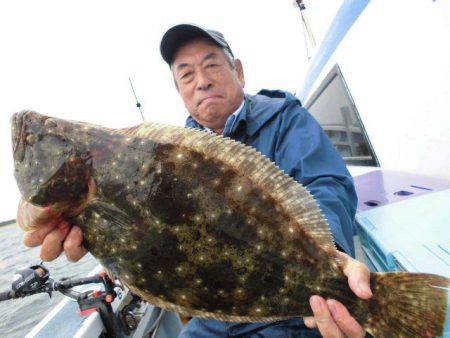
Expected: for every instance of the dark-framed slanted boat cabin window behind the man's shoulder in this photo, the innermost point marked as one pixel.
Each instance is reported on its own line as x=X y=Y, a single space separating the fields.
x=333 y=107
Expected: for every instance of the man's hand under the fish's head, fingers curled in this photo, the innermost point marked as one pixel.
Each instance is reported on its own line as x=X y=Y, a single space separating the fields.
x=43 y=226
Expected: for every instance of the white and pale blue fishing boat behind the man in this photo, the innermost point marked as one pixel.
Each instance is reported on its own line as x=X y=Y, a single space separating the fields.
x=378 y=83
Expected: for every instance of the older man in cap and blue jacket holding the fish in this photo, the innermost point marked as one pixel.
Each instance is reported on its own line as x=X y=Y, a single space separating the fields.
x=210 y=82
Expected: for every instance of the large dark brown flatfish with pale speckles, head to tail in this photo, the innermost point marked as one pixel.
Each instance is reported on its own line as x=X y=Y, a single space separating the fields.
x=192 y=226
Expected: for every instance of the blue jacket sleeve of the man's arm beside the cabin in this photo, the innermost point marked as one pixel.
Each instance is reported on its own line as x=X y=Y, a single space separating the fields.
x=304 y=151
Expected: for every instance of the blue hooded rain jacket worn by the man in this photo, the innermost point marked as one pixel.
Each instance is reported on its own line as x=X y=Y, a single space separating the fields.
x=275 y=123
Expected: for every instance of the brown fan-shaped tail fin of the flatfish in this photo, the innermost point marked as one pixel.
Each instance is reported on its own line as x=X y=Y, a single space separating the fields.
x=408 y=305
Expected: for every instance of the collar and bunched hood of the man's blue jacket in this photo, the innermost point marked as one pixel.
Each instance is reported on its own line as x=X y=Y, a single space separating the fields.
x=258 y=109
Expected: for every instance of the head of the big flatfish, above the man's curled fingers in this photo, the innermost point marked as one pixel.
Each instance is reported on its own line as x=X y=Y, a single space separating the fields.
x=51 y=166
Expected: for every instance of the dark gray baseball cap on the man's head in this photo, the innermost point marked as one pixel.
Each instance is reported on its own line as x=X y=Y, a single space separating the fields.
x=179 y=34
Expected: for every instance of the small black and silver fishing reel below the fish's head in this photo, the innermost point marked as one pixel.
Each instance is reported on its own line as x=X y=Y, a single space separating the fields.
x=30 y=280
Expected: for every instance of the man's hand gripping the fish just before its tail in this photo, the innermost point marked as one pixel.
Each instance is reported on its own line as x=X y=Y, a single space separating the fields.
x=330 y=316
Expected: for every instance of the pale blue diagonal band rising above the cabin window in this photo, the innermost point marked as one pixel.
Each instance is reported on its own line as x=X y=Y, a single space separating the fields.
x=344 y=19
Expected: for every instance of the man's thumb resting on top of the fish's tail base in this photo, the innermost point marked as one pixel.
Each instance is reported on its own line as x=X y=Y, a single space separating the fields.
x=358 y=276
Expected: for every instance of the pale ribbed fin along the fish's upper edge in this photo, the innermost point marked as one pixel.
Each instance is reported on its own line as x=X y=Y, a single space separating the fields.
x=293 y=197
